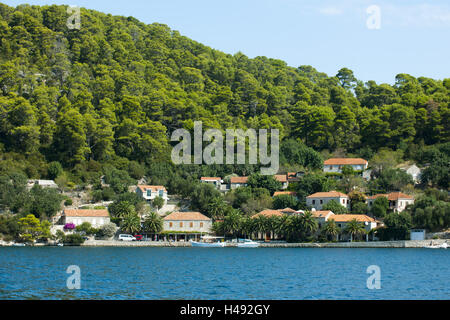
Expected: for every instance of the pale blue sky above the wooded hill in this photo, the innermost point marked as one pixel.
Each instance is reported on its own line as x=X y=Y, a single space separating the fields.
x=413 y=35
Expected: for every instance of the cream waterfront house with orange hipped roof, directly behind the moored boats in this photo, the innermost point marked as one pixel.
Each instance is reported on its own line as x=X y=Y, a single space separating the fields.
x=188 y=222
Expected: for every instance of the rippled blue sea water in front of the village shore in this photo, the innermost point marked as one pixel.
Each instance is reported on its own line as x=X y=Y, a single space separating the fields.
x=223 y=273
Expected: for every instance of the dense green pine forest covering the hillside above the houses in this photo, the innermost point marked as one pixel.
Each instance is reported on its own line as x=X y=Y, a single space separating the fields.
x=113 y=91
